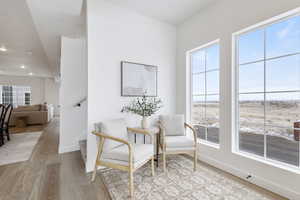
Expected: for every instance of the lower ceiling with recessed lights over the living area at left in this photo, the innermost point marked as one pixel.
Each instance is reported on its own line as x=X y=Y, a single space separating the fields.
x=21 y=40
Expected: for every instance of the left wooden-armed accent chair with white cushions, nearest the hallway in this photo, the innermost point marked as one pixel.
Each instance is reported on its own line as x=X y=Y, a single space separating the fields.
x=115 y=151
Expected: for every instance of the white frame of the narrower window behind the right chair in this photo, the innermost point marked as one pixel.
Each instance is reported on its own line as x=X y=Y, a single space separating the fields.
x=190 y=88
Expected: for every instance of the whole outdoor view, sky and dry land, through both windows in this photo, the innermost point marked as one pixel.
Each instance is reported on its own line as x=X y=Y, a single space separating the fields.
x=268 y=83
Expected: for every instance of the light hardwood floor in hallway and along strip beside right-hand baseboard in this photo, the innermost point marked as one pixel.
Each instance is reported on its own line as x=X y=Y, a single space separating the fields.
x=52 y=176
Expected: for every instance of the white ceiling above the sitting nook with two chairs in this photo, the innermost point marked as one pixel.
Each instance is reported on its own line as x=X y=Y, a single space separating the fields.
x=170 y=11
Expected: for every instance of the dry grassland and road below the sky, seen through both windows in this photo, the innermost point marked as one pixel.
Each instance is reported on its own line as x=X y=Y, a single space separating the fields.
x=281 y=138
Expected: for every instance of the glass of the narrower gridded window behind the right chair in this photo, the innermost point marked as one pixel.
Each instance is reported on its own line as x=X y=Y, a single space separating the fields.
x=204 y=63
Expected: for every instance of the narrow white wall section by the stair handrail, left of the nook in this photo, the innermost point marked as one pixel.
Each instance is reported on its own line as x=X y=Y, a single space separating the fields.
x=73 y=88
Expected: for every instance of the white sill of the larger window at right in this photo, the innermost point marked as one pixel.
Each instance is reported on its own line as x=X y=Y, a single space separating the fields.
x=272 y=163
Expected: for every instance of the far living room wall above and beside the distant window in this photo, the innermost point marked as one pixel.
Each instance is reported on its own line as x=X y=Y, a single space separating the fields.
x=37 y=86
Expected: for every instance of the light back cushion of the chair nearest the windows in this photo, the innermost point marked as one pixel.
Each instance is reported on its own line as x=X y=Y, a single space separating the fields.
x=173 y=124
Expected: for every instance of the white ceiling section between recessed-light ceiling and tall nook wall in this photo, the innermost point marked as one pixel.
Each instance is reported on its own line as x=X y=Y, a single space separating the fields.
x=53 y=19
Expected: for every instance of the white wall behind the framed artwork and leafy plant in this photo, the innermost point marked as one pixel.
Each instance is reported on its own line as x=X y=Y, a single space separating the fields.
x=116 y=34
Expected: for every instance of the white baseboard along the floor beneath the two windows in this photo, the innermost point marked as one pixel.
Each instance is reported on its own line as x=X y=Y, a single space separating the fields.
x=278 y=189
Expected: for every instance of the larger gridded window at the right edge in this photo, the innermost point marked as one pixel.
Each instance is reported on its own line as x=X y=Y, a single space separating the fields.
x=268 y=91
